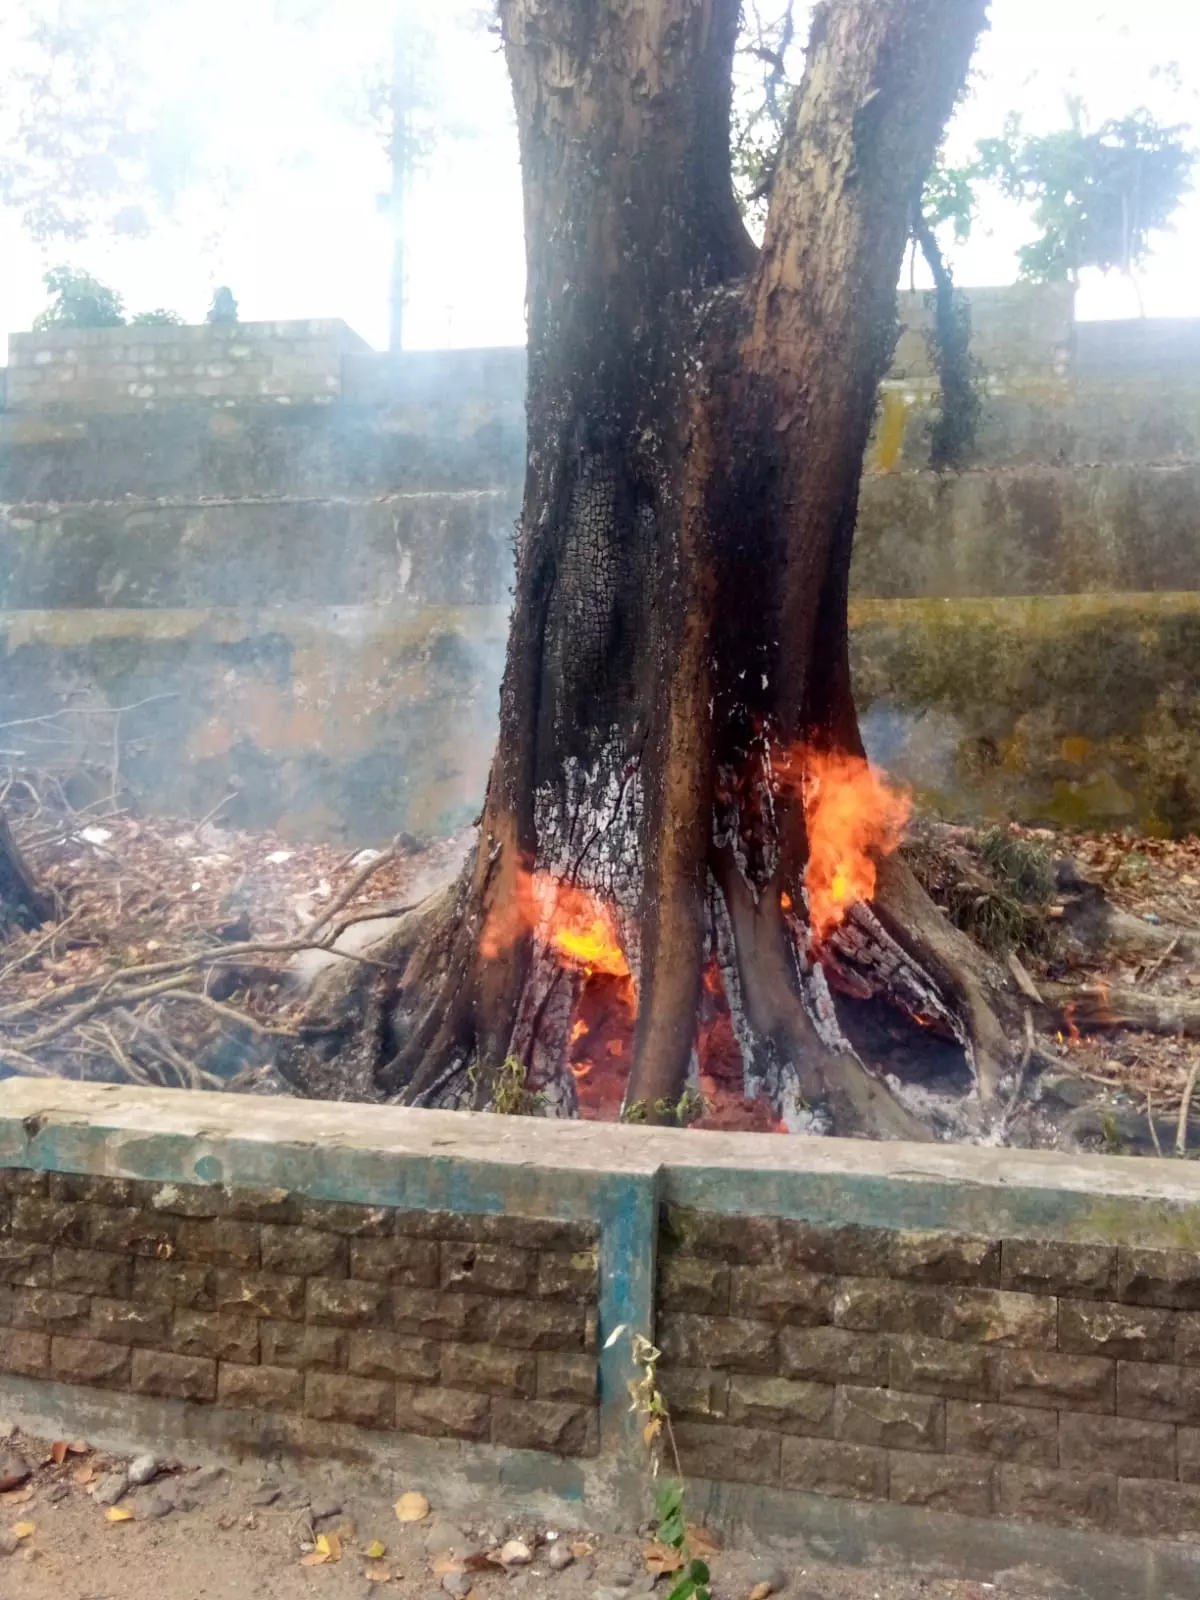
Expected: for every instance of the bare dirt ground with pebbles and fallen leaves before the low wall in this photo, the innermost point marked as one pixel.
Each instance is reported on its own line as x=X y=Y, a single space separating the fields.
x=247 y=1532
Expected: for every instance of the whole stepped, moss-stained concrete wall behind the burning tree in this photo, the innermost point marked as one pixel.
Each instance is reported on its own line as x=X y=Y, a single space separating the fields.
x=326 y=583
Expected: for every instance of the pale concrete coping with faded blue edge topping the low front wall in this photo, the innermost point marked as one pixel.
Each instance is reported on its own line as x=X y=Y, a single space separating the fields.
x=529 y=1166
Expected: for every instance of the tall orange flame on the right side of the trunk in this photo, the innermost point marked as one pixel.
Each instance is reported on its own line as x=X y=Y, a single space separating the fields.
x=854 y=817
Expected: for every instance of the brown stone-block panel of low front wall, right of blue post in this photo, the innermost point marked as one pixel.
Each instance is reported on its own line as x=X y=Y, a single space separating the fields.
x=1009 y=1378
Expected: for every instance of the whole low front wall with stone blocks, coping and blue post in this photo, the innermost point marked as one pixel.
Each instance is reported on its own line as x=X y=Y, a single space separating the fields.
x=961 y=1359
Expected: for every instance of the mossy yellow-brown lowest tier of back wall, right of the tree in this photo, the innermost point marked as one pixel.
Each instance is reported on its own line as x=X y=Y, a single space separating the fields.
x=1076 y=710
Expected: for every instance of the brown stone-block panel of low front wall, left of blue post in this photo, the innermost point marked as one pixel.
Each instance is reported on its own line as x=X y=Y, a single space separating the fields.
x=417 y=1322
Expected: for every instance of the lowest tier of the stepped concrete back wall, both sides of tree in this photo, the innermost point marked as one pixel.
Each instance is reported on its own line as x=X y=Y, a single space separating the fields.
x=361 y=721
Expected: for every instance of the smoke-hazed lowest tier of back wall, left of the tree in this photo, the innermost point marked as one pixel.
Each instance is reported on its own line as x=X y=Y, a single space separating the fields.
x=353 y=722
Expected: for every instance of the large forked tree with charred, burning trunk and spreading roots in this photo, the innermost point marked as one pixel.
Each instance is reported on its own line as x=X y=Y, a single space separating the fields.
x=679 y=801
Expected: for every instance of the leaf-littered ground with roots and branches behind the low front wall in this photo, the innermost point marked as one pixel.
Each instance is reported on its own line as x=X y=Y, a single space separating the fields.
x=142 y=980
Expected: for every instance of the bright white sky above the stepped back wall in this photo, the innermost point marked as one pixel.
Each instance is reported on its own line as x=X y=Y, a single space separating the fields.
x=302 y=234
